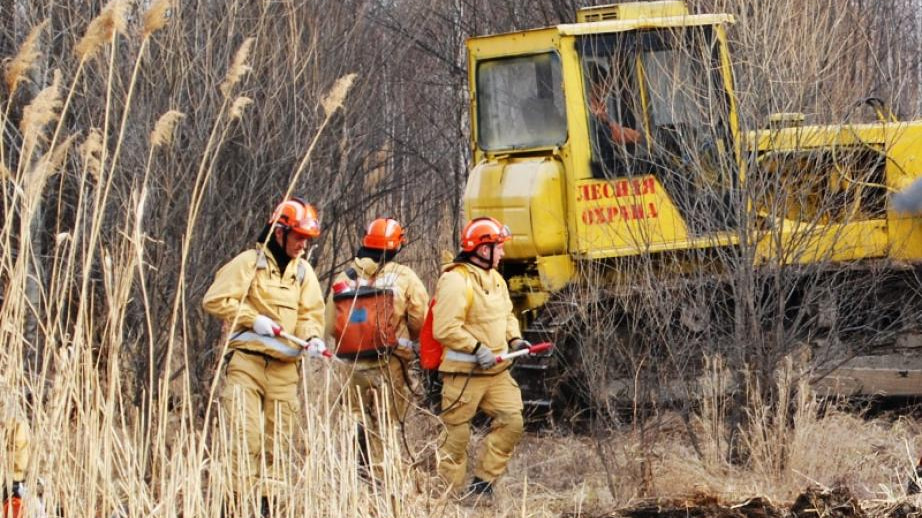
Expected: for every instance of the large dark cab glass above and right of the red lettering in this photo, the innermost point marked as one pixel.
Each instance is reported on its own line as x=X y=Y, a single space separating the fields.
x=656 y=104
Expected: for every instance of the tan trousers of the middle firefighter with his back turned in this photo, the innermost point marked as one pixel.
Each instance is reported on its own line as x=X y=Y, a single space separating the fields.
x=379 y=395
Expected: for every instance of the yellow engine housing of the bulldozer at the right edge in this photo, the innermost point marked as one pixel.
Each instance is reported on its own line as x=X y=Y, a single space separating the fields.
x=837 y=181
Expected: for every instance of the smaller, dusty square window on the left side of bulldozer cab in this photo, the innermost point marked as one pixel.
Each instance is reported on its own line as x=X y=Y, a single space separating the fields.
x=520 y=103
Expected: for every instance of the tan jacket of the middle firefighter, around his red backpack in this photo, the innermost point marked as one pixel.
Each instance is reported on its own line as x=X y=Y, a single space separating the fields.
x=411 y=300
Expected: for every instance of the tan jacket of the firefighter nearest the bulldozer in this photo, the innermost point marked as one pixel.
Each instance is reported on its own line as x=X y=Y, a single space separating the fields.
x=488 y=318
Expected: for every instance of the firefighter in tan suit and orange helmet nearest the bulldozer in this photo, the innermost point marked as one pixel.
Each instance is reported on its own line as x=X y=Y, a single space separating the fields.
x=473 y=319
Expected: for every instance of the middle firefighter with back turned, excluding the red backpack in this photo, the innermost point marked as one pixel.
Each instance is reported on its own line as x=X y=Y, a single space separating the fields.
x=381 y=377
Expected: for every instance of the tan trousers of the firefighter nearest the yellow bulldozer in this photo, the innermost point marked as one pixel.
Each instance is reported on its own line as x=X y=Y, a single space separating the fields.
x=496 y=395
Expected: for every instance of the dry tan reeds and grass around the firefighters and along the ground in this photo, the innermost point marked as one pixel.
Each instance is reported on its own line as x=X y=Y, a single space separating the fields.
x=87 y=292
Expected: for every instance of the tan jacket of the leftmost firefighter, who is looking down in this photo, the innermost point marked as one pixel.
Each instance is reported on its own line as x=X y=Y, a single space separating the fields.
x=251 y=285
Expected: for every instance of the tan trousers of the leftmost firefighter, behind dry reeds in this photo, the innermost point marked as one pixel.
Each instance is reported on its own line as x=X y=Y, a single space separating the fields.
x=259 y=401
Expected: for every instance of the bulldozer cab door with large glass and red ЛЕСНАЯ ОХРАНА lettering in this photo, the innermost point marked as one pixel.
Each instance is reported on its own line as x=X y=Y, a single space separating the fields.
x=663 y=155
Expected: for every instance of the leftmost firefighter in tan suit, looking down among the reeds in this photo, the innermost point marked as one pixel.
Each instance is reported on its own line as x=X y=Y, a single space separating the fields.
x=261 y=292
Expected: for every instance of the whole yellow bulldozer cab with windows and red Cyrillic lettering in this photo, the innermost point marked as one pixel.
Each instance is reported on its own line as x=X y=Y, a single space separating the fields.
x=611 y=137
